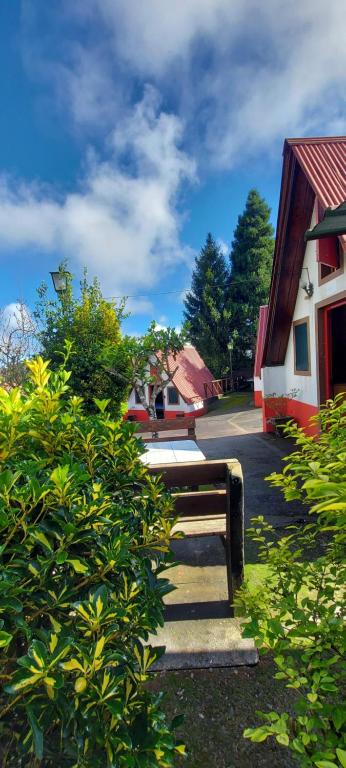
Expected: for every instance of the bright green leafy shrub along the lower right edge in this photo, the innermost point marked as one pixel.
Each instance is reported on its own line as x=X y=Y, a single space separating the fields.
x=299 y=612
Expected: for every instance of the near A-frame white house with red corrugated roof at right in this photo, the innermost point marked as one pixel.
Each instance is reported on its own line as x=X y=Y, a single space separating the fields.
x=301 y=348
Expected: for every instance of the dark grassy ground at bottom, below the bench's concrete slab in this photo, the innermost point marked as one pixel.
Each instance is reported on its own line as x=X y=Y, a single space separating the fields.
x=218 y=704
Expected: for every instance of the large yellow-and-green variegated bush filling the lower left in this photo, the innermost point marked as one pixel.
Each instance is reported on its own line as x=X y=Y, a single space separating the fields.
x=84 y=536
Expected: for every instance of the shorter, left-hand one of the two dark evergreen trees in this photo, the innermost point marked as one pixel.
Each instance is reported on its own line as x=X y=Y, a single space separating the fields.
x=206 y=308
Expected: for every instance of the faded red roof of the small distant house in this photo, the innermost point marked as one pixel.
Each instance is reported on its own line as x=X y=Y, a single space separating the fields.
x=191 y=375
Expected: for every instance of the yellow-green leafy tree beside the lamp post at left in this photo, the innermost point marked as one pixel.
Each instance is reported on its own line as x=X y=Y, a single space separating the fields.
x=91 y=323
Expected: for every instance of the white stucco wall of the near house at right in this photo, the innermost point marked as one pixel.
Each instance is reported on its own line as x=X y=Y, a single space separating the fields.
x=282 y=379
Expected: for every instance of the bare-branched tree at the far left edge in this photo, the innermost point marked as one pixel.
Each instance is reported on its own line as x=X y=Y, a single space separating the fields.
x=17 y=342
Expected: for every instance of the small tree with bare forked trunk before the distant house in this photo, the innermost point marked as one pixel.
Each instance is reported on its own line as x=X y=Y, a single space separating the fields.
x=146 y=363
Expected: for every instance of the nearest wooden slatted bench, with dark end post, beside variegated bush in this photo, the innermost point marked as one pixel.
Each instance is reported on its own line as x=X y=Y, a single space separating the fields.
x=218 y=512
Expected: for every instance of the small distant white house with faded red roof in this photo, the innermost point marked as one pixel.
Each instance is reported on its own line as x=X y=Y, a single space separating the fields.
x=185 y=395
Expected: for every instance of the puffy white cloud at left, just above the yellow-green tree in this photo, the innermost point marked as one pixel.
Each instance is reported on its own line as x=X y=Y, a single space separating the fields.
x=123 y=223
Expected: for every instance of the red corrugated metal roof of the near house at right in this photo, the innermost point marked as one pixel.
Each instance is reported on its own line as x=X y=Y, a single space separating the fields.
x=323 y=161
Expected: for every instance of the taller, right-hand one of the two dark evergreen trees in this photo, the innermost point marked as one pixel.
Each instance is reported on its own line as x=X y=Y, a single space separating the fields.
x=251 y=264
